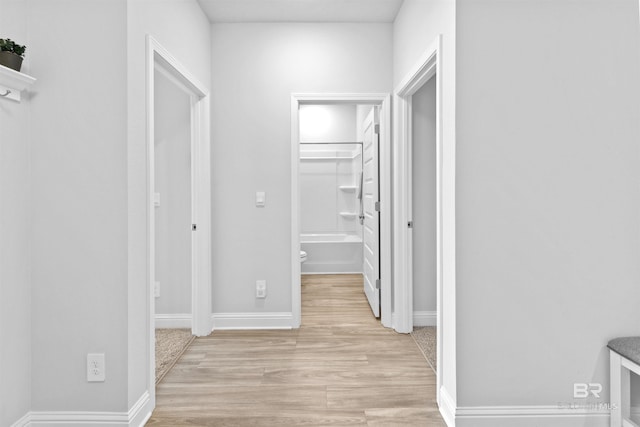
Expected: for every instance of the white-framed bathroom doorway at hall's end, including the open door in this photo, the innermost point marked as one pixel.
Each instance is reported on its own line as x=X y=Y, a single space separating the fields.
x=360 y=205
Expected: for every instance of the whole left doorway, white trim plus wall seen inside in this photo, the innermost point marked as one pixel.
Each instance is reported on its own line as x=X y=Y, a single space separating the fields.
x=178 y=197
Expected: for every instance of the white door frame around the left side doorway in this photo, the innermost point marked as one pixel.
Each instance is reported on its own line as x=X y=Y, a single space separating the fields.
x=160 y=59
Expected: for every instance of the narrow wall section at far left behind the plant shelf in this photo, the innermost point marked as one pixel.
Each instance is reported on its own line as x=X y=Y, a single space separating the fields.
x=15 y=221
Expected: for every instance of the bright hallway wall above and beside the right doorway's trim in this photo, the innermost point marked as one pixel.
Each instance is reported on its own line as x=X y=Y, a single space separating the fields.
x=415 y=29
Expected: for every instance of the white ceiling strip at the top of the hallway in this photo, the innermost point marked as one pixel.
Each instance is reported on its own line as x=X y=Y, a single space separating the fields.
x=301 y=10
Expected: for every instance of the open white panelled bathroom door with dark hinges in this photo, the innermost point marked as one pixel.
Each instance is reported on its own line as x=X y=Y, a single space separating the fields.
x=371 y=225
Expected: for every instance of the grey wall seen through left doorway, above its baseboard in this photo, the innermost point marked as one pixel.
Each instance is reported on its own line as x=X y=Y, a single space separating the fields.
x=173 y=183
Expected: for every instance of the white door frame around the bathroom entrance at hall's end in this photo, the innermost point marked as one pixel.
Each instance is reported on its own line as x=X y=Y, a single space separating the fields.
x=383 y=100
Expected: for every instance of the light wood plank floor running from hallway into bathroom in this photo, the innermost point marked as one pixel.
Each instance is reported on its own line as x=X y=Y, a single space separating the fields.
x=341 y=368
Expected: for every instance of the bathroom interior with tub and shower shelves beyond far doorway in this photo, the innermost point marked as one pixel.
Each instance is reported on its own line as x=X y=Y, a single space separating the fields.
x=331 y=194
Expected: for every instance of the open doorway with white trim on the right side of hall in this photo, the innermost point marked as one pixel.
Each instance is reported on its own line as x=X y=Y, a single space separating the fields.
x=418 y=198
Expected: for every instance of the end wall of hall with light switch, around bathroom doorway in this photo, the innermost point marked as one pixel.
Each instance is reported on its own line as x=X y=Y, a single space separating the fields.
x=256 y=67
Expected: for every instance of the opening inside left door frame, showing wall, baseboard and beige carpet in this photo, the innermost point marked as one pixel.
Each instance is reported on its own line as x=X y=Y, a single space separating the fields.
x=173 y=210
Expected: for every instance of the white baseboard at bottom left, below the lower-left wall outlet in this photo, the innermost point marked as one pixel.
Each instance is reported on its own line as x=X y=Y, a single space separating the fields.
x=137 y=416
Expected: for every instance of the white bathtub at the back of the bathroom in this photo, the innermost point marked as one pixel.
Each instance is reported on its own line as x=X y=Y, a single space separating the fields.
x=332 y=253
